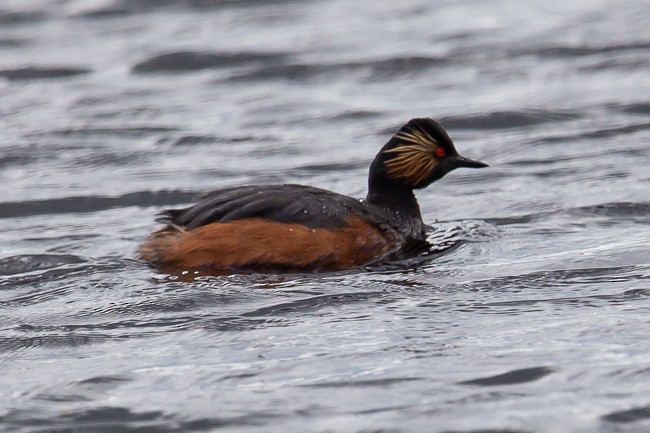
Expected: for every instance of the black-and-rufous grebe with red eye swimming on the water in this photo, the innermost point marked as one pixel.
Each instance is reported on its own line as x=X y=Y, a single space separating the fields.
x=296 y=228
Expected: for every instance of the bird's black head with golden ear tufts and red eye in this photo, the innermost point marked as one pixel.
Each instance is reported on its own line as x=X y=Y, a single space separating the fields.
x=419 y=153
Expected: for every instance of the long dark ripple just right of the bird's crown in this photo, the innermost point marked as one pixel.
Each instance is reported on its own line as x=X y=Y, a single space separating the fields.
x=507 y=119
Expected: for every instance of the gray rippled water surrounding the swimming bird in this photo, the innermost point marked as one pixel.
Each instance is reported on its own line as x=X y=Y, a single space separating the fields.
x=535 y=321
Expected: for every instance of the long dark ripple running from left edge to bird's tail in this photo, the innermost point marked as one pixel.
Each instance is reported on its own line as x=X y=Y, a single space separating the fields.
x=94 y=203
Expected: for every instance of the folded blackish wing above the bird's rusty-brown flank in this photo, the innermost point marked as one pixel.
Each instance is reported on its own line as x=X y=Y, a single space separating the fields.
x=312 y=207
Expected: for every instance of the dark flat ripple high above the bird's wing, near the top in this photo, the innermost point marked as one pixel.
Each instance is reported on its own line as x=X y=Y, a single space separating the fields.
x=188 y=61
